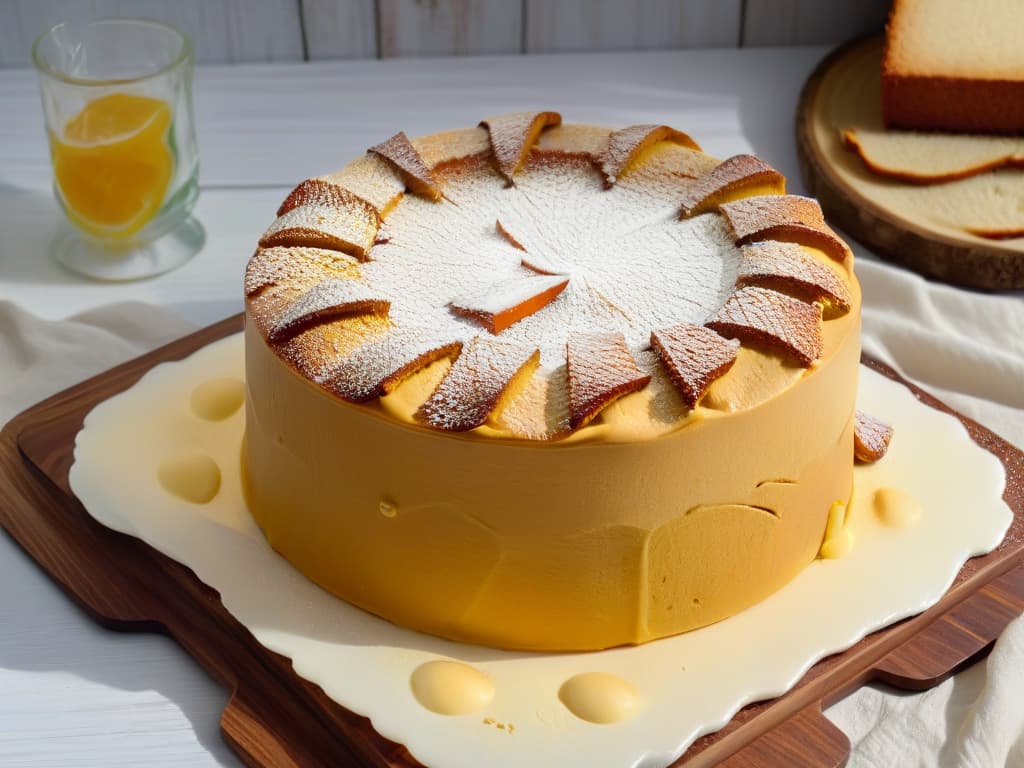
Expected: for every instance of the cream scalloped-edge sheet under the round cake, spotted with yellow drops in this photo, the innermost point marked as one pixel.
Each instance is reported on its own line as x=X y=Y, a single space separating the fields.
x=690 y=685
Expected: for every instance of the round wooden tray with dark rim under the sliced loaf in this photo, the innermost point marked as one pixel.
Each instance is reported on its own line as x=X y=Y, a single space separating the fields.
x=851 y=196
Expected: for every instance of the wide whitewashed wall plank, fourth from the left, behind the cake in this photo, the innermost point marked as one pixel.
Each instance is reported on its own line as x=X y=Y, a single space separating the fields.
x=611 y=25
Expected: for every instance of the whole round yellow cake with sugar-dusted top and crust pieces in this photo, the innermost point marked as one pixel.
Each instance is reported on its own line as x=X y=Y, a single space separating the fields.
x=546 y=387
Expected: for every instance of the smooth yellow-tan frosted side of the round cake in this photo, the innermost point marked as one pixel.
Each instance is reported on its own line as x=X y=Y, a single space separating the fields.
x=547 y=546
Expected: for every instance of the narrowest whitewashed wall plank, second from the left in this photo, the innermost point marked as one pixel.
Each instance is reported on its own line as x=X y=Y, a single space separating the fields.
x=339 y=29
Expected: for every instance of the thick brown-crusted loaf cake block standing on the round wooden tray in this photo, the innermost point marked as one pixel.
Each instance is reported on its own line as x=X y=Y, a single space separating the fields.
x=955 y=66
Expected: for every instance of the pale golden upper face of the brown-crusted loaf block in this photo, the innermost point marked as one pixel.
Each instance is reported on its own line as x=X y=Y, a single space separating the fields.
x=953 y=38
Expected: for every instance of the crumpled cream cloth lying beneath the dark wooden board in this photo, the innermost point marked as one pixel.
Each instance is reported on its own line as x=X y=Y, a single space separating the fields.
x=968 y=349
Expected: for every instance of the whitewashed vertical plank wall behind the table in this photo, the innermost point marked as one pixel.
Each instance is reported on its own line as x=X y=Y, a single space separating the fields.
x=229 y=31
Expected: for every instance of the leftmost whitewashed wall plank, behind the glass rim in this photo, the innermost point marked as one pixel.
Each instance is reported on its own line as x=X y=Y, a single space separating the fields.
x=223 y=31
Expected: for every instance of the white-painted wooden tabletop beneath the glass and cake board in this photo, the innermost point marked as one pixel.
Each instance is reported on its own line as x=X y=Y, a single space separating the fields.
x=73 y=695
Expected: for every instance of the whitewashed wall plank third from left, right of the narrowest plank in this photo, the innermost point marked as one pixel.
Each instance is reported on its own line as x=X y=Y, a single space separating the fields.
x=449 y=28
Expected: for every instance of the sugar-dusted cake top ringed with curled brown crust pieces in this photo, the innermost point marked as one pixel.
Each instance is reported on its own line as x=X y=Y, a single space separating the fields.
x=539 y=280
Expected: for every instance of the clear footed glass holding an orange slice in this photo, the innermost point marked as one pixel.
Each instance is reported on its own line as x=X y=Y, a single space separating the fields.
x=117 y=103
